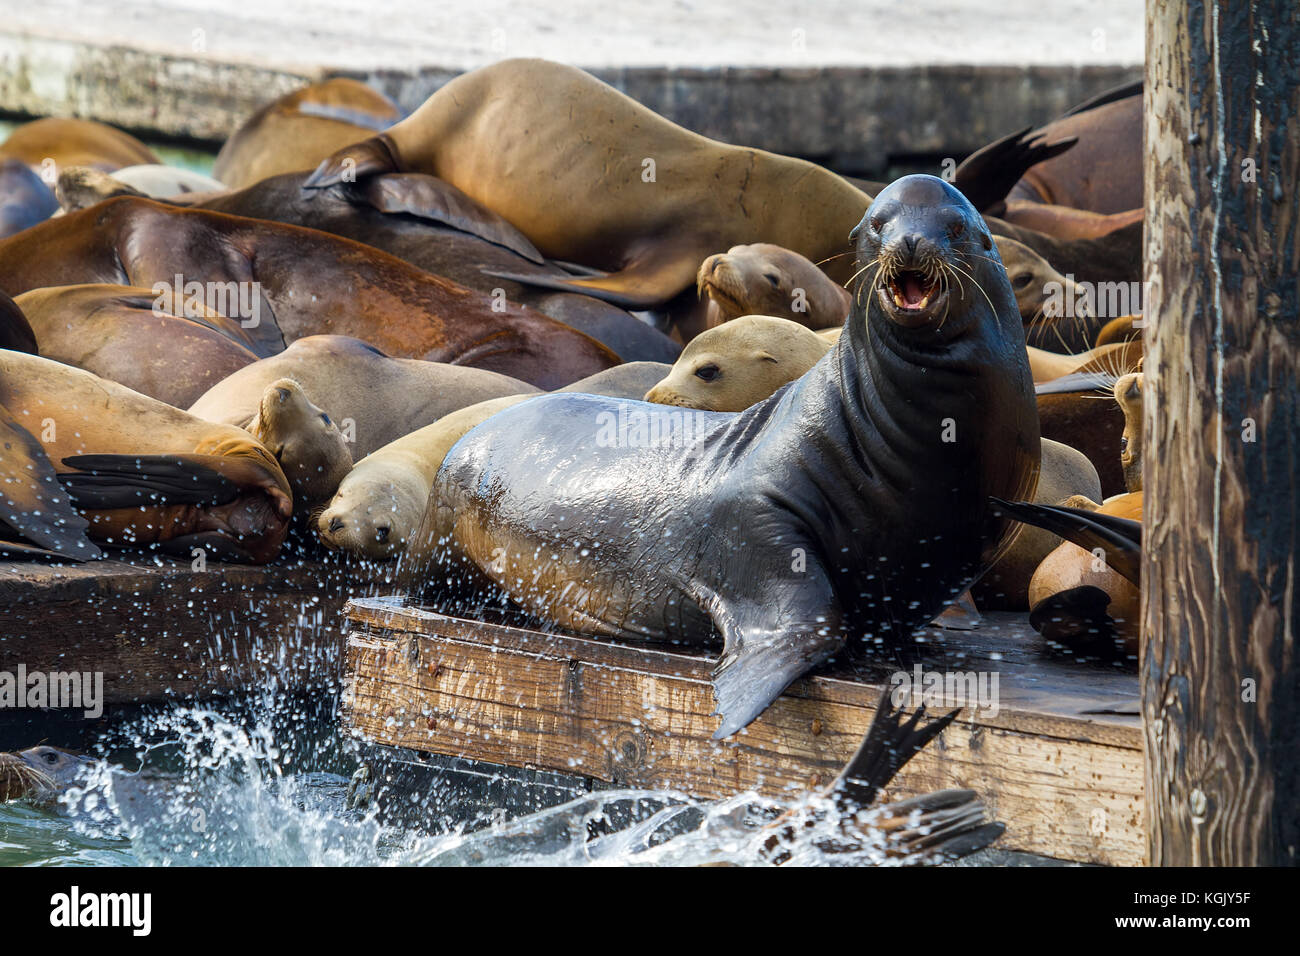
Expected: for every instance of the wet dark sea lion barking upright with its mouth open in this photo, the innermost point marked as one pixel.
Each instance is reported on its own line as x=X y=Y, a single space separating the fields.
x=833 y=512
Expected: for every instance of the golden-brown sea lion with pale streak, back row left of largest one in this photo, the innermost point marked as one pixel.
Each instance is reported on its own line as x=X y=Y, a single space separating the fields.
x=301 y=129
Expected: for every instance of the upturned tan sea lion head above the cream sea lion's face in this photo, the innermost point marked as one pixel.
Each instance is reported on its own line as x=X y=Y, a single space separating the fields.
x=304 y=439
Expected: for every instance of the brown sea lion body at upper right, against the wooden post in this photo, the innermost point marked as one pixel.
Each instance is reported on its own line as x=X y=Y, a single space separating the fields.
x=1104 y=172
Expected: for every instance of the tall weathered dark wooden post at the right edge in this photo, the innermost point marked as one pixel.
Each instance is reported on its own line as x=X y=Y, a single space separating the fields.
x=1221 y=574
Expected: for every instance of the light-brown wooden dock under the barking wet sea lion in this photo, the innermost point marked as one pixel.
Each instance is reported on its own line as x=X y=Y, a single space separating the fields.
x=1060 y=763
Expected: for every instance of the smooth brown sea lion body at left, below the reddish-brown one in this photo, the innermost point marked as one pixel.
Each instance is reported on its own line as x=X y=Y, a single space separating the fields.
x=138 y=339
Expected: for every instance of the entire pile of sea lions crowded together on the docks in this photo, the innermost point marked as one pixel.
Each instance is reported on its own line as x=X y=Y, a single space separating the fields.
x=543 y=345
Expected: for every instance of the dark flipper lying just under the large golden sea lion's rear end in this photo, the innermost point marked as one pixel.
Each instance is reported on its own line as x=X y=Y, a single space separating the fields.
x=431 y=198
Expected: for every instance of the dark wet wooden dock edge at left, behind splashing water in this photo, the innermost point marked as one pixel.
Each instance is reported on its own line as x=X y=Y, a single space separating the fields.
x=158 y=629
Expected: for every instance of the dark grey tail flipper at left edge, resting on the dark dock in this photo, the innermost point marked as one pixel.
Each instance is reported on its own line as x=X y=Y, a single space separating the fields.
x=33 y=507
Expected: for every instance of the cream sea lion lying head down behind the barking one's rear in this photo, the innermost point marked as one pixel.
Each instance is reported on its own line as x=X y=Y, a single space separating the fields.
x=383 y=499
